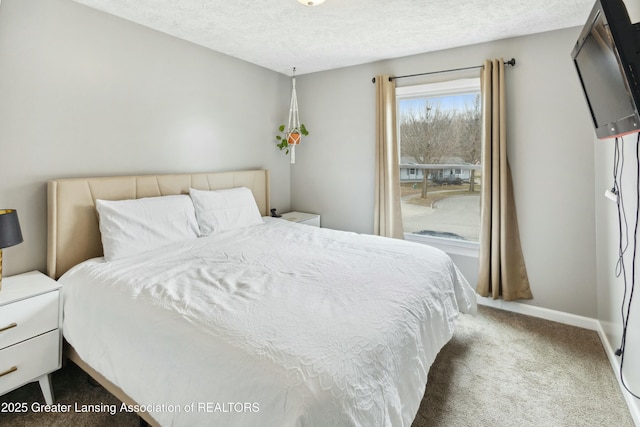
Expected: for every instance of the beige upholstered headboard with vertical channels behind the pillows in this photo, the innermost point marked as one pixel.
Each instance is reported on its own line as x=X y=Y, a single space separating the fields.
x=73 y=233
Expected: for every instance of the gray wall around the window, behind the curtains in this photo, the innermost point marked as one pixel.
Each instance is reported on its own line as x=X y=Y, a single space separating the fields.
x=550 y=151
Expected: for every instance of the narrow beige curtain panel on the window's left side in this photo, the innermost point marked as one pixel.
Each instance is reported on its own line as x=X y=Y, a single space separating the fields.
x=387 y=216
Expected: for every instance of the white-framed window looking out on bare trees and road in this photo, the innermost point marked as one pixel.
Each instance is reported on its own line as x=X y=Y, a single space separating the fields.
x=439 y=128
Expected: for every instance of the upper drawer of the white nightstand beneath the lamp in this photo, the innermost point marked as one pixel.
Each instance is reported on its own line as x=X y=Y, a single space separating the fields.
x=23 y=319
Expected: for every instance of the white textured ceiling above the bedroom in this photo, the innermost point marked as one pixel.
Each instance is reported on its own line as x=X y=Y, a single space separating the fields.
x=281 y=34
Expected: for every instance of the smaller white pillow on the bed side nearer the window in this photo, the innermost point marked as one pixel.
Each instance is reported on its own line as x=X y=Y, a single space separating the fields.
x=222 y=210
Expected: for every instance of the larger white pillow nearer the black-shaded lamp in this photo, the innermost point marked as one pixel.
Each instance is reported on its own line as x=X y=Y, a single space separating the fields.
x=129 y=227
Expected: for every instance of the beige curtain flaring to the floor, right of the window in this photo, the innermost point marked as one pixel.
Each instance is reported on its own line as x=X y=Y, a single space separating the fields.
x=502 y=268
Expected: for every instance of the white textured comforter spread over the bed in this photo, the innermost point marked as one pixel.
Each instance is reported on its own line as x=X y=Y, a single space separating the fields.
x=278 y=324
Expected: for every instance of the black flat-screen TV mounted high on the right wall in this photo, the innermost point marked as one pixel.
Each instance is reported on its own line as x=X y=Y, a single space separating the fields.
x=607 y=58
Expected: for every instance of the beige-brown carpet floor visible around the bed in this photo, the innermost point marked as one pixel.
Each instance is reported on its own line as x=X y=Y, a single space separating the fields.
x=500 y=369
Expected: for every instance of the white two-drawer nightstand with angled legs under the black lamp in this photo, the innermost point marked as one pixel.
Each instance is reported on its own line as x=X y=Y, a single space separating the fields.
x=30 y=331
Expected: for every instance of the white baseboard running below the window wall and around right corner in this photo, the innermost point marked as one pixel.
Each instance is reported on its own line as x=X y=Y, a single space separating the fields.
x=571 y=319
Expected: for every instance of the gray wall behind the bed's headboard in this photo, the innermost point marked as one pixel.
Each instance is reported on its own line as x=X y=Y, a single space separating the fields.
x=83 y=93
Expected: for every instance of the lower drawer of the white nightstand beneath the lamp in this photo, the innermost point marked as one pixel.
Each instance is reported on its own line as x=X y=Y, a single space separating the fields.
x=28 y=360
